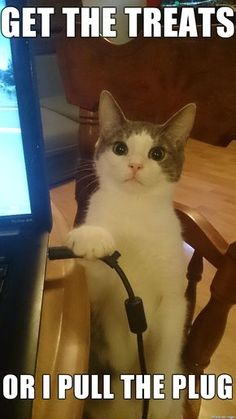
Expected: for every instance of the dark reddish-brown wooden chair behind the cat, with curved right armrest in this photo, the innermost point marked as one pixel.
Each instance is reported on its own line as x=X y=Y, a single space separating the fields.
x=146 y=77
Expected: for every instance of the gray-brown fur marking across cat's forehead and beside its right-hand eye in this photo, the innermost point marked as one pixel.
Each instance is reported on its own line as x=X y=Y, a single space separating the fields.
x=172 y=163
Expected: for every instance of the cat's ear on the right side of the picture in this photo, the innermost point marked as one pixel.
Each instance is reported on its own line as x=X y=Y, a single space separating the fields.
x=179 y=126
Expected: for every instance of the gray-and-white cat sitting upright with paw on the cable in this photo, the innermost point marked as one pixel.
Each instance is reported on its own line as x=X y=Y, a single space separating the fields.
x=137 y=165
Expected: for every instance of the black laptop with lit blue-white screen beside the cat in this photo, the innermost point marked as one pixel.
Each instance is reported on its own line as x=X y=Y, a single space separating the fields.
x=25 y=219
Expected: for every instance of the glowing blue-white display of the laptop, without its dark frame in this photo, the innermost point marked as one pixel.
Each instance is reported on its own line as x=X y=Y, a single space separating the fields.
x=14 y=190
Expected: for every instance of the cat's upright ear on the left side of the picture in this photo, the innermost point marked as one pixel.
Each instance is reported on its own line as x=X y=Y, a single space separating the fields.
x=109 y=113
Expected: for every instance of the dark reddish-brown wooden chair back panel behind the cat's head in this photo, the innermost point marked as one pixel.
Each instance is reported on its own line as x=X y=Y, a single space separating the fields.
x=152 y=78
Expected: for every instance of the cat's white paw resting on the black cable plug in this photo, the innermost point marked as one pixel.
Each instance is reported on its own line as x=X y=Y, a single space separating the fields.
x=91 y=242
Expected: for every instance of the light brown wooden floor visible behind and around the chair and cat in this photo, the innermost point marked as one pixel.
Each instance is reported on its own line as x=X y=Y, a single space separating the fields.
x=208 y=184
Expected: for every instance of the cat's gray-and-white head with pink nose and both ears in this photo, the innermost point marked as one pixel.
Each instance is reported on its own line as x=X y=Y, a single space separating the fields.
x=135 y=155
